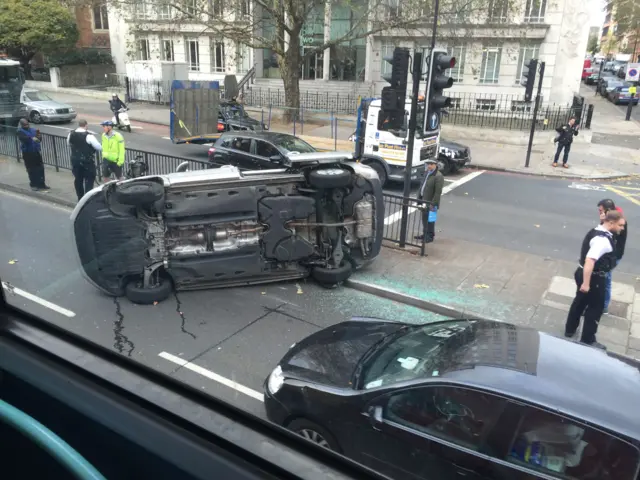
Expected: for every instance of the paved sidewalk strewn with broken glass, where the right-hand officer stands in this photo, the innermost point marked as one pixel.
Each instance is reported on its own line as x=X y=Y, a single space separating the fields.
x=463 y=279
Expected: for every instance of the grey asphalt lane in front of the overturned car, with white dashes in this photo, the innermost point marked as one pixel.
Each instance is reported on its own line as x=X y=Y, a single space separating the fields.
x=230 y=335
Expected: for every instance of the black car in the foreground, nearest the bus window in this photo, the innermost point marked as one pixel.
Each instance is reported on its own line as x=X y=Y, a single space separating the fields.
x=471 y=399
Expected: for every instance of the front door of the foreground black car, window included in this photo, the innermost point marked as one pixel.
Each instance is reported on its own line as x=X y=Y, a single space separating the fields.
x=437 y=431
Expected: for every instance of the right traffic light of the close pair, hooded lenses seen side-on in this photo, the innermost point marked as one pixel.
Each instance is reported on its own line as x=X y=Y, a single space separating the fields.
x=437 y=81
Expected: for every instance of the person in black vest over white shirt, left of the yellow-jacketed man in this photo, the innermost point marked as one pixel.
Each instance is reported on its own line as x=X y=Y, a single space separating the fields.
x=83 y=166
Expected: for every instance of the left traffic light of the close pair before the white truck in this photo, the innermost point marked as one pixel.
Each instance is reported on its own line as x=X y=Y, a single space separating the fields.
x=392 y=109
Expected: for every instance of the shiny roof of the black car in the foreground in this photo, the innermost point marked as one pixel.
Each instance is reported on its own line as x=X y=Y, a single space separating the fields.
x=564 y=376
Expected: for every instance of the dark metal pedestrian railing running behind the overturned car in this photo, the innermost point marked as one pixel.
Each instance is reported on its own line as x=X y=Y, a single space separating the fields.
x=57 y=153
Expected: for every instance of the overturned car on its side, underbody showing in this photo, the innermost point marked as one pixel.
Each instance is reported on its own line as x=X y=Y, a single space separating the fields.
x=320 y=215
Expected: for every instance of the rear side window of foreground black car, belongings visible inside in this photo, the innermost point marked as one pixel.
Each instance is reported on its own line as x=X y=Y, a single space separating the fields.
x=554 y=444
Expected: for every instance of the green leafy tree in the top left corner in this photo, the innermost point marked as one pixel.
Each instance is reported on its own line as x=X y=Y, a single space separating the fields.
x=31 y=26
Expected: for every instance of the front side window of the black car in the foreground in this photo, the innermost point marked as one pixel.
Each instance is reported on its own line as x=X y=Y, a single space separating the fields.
x=459 y=415
